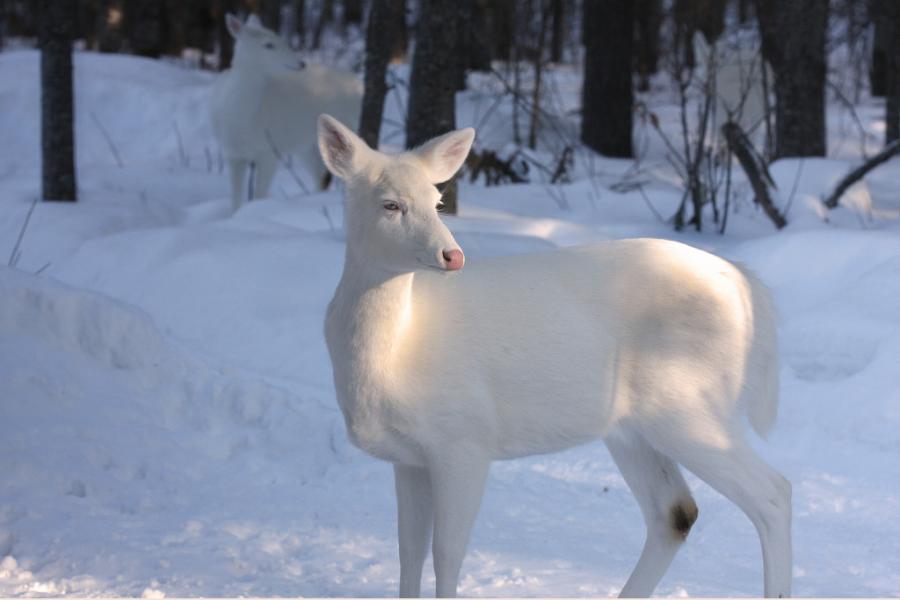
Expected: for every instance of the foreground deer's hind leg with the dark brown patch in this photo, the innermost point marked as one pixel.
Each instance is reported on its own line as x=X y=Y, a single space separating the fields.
x=666 y=503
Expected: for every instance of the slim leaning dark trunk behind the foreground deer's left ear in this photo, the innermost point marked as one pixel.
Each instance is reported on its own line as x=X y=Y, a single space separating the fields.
x=380 y=37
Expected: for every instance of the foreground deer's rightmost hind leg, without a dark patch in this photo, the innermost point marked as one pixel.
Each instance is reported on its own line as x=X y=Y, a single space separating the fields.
x=739 y=474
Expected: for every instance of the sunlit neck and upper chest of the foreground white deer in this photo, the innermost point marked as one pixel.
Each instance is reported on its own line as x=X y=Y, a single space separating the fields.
x=367 y=324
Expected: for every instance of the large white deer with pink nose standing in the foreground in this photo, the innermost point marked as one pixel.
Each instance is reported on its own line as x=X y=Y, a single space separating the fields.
x=651 y=345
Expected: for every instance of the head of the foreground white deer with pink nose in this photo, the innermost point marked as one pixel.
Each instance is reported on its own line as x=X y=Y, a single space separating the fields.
x=392 y=203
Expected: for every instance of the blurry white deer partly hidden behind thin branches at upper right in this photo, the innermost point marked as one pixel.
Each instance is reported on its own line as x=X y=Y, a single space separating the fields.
x=735 y=76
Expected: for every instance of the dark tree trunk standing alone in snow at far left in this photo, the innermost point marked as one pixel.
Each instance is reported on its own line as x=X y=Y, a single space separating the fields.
x=57 y=108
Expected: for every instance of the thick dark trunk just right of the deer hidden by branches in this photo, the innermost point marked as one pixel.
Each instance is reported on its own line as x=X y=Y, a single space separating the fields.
x=793 y=41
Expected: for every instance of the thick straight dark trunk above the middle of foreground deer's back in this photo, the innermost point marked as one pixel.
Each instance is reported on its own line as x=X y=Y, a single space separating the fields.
x=607 y=97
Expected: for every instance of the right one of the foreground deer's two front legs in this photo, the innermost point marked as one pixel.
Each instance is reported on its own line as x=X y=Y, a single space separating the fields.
x=457 y=484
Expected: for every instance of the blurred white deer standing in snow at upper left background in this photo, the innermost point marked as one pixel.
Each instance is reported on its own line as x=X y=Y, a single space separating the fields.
x=265 y=106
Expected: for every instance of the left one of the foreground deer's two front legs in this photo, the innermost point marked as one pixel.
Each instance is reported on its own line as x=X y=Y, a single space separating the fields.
x=414 y=523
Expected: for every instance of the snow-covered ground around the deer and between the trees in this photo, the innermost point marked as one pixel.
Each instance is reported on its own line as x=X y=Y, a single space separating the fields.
x=168 y=422
